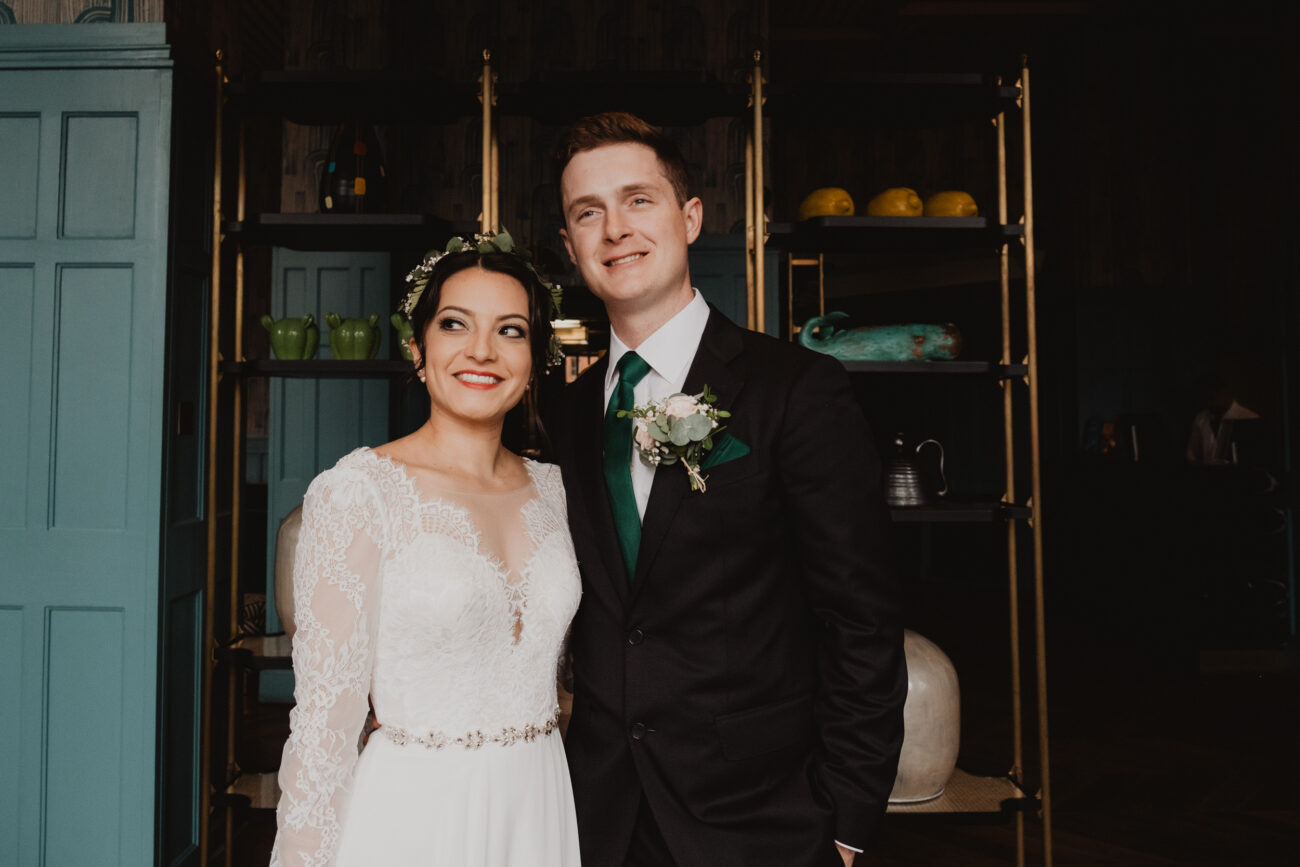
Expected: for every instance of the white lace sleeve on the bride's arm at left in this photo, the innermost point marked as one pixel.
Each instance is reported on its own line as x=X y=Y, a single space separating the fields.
x=336 y=606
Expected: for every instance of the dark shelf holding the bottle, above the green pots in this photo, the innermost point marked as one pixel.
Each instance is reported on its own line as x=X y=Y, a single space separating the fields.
x=346 y=231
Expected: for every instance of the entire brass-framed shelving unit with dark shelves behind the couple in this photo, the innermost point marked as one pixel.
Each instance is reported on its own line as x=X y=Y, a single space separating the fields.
x=967 y=795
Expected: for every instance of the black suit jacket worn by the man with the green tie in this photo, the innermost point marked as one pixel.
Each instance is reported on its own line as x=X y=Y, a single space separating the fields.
x=749 y=680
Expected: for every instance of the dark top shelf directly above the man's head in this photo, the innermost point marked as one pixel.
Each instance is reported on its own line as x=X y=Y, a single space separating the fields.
x=666 y=99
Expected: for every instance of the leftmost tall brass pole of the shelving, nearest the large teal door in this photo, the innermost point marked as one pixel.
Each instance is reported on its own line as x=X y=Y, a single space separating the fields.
x=210 y=495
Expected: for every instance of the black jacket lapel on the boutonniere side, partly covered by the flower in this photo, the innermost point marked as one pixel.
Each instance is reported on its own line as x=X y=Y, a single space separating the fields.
x=713 y=367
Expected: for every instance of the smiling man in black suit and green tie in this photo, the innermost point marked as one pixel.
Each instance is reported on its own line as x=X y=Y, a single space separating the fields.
x=738 y=657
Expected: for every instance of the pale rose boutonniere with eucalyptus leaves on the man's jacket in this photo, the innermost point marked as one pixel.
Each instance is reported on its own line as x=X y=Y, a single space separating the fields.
x=678 y=430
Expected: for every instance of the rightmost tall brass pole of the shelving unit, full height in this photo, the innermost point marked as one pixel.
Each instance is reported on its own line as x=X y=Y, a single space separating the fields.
x=1039 y=604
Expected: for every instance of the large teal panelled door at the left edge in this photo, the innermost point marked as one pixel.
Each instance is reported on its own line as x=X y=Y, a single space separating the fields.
x=85 y=118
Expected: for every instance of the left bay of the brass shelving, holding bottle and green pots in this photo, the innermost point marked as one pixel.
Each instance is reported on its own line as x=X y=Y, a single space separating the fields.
x=292 y=97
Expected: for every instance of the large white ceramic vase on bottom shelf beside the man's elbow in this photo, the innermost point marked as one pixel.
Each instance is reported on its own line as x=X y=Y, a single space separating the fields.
x=931 y=722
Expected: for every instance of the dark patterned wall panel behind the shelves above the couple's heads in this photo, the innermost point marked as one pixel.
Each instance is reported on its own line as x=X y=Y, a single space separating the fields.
x=436 y=168
